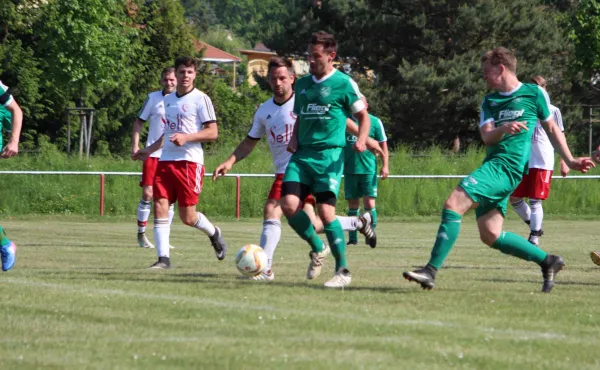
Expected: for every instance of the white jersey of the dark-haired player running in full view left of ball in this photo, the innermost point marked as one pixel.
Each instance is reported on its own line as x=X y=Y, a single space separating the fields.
x=186 y=114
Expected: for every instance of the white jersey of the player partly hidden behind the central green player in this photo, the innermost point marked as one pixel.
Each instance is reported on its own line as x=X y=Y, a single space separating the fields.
x=276 y=121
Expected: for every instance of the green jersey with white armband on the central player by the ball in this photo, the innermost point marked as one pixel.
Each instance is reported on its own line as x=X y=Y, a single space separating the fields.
x=322 y=107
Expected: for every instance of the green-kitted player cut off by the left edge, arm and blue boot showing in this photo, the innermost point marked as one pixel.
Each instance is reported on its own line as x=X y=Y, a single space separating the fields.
x=9 y=112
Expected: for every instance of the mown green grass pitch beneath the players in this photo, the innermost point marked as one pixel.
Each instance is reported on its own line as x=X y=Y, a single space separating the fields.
x=81 y=297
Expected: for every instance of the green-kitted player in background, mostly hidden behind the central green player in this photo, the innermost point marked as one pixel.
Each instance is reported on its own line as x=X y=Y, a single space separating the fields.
x=360 y=175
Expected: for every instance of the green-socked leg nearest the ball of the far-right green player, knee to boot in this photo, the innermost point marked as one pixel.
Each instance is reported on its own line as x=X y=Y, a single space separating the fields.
x=457 y=204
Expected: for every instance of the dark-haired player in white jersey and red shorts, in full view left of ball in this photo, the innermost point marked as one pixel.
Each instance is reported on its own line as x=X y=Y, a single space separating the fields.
x=190 y=120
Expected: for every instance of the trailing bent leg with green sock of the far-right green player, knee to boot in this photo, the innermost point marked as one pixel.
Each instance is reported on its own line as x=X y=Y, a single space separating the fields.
x=490 y=230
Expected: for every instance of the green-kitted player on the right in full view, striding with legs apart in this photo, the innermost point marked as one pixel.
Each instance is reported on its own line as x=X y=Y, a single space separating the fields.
x=508 y=120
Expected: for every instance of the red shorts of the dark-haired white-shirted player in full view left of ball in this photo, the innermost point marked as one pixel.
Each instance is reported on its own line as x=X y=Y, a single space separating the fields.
x=179 y=181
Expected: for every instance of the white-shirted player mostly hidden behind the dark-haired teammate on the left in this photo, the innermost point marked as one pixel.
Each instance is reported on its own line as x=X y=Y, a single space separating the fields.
x=153 y=112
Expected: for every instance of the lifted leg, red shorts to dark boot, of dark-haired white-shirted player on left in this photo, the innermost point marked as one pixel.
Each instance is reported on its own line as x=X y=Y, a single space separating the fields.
x=189 y=189
